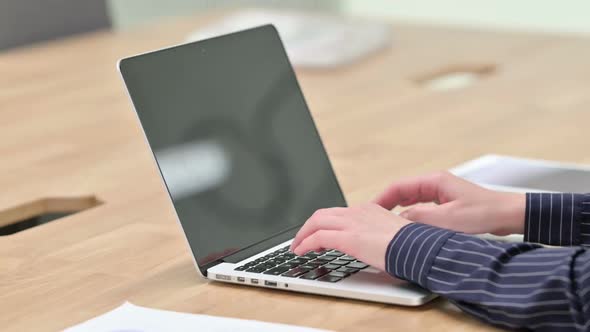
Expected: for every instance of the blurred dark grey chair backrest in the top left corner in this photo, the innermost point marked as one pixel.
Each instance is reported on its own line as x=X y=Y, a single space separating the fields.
x=28 y=21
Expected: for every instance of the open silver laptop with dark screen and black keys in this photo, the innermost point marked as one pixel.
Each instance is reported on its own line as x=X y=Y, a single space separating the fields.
x=245 y=167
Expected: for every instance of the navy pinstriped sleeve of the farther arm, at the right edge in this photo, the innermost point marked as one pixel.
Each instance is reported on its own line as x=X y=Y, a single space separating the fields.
x=558 y=219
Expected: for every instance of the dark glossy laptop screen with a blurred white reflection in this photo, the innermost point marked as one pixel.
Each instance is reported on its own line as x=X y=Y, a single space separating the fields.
x=234 y=140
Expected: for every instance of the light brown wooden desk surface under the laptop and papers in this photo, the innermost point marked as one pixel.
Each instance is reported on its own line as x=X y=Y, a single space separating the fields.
x=67 y=129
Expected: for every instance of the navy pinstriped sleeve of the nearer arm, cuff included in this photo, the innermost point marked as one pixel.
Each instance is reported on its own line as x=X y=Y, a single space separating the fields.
x=510 y=285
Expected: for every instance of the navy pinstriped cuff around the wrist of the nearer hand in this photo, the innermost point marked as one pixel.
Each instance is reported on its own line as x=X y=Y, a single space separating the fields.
x=412 y=251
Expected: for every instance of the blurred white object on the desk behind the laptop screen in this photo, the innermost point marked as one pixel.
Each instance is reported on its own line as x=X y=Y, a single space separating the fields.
x=311 y=40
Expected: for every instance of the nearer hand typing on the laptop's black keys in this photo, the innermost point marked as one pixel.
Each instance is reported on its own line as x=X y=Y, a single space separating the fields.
x=360 y=231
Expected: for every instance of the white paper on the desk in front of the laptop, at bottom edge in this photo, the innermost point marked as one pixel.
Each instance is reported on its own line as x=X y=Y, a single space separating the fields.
x=131 y=318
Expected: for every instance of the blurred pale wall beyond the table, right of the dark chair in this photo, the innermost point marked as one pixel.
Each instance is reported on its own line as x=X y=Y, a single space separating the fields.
x=545 y=15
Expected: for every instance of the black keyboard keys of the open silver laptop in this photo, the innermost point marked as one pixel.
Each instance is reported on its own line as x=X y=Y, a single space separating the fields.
x=326 y=265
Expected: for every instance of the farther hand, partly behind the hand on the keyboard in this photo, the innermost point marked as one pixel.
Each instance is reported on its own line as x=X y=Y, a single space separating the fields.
x=460 y=205
